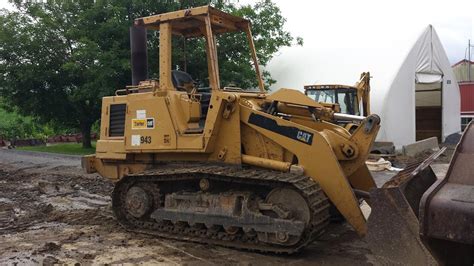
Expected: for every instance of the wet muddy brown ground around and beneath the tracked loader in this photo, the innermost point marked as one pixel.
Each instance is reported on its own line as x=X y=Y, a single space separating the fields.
x=51 y=212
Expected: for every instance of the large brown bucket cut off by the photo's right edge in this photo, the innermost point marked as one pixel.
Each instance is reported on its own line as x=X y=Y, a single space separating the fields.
x=447 y=208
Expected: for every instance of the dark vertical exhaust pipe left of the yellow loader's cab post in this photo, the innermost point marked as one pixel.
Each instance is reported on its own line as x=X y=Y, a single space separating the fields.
x=139 y=57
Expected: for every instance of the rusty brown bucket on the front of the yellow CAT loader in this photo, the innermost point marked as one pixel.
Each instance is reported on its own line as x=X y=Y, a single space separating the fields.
x=393 y=226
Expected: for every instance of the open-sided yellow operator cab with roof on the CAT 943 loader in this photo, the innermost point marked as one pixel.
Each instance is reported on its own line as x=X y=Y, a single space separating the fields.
x=188 y=65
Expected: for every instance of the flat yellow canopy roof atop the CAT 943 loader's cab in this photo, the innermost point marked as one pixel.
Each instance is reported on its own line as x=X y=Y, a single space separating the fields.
x=189 y=22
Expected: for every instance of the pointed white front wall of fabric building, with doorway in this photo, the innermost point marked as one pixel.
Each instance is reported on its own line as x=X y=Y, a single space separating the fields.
x=423 y=99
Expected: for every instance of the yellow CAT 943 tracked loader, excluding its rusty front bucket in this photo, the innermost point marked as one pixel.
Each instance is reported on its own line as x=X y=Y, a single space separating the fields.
x=229 y=166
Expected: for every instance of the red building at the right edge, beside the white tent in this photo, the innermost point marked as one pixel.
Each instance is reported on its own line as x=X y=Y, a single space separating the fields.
x=466 y=87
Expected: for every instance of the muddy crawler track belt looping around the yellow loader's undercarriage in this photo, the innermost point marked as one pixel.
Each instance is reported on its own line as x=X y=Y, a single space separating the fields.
x=309 y=189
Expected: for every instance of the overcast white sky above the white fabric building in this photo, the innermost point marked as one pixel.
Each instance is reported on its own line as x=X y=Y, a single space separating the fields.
x=350 y=21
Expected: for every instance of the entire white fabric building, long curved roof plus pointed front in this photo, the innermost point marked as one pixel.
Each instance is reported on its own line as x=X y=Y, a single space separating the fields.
x=413 y=86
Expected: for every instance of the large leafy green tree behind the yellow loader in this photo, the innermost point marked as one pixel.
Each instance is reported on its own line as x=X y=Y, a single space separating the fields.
x=59 y=58
